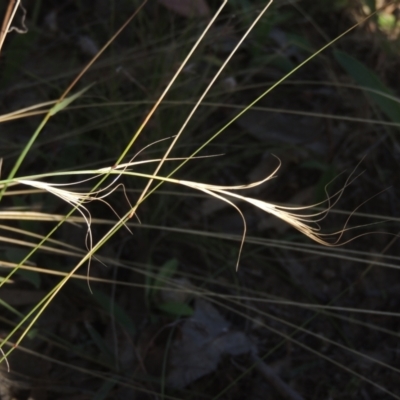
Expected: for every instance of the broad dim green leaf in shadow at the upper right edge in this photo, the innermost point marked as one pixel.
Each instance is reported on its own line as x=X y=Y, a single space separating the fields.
x=366 y=78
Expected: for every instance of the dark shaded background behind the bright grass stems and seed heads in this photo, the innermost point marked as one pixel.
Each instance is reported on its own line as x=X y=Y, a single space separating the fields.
x=166 y=315
